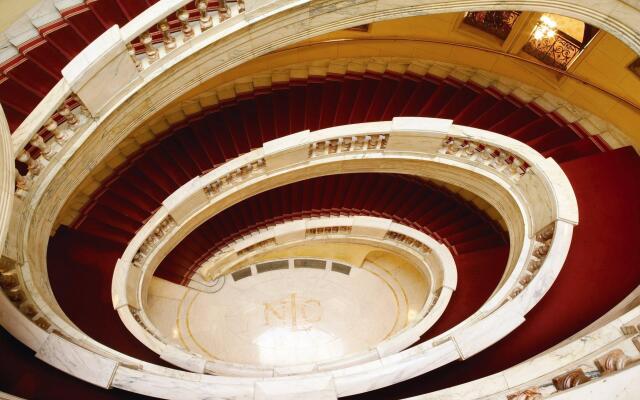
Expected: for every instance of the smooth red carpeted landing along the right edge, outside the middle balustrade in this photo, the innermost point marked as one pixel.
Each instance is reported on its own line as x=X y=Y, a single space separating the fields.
x=600 y=271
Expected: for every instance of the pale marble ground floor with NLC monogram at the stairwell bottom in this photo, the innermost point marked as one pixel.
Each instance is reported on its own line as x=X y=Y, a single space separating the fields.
x=286 y=317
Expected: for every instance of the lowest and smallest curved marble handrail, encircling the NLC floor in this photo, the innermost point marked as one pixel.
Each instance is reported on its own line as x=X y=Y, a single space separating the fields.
x=435 y=260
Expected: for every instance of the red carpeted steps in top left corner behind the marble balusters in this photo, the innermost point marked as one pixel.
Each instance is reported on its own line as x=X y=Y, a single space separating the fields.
x=35 y=66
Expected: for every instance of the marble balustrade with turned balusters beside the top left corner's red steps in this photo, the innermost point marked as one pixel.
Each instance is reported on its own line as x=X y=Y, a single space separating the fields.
x=62 y=113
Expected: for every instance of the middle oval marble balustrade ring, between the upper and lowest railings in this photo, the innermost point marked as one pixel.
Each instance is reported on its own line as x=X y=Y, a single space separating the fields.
x=289 y=157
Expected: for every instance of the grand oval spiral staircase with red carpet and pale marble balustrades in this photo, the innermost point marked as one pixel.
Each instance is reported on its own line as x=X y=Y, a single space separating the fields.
x=146 y=161
